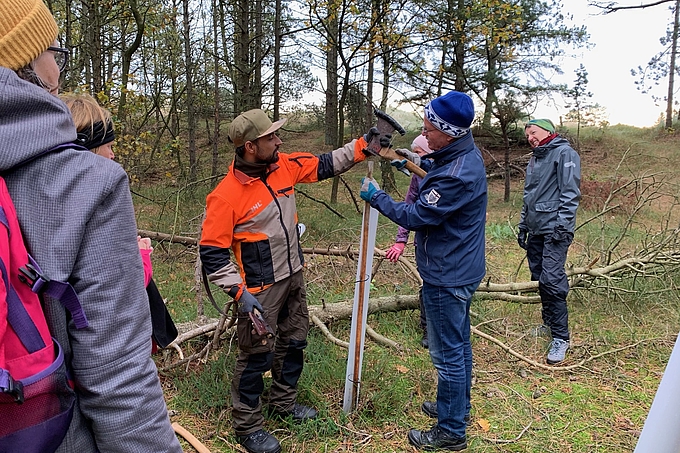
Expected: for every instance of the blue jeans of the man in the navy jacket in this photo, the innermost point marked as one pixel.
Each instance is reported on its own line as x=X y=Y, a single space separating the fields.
x=448 y=327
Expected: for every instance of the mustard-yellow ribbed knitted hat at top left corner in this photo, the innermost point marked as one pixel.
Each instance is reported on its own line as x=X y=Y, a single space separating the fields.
x=27 y=29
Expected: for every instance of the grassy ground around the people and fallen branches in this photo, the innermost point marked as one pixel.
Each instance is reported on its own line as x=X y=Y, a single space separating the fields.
x=600 y=407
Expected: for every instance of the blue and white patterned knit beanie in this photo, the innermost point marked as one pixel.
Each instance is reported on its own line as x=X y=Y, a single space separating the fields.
x=452 y=113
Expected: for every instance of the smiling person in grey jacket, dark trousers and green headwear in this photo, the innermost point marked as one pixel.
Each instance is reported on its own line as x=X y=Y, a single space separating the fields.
x=546 y=225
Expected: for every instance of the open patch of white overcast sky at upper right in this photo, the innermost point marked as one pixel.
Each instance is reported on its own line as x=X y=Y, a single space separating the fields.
x=623 y=40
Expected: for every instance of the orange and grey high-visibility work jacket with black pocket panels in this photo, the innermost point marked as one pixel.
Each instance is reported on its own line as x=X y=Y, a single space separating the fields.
x=257 y=219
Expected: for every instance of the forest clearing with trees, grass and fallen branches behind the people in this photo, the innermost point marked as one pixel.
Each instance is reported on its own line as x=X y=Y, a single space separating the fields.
x=175 y=73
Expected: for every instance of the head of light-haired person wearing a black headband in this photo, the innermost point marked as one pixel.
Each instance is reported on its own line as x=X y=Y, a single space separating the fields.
x=93 y=123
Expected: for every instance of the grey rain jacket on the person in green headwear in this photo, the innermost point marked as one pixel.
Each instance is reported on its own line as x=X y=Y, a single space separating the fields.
x=551 y=189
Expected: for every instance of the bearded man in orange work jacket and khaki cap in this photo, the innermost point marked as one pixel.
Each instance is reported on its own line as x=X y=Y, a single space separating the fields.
x=252 y=213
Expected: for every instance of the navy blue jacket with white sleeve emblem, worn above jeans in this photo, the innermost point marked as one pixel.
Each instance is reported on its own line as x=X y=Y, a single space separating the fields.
x=448 y=216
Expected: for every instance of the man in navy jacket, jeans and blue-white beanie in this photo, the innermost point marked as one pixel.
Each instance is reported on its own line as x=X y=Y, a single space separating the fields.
x=448 y=218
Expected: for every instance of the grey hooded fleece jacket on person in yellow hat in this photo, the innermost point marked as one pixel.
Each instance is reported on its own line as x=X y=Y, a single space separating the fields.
x=76 y=213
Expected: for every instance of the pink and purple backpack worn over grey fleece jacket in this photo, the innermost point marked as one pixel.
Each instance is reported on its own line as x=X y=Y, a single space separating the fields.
x=36 y=394
